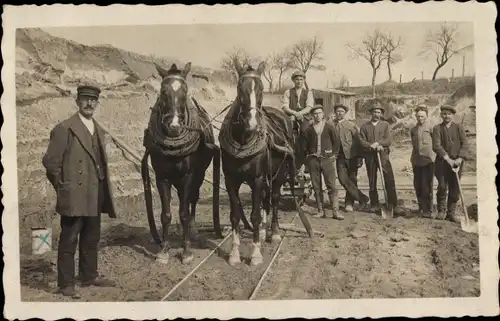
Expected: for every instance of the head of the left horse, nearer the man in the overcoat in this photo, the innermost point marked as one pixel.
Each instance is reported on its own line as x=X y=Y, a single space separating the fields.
x=173 y=98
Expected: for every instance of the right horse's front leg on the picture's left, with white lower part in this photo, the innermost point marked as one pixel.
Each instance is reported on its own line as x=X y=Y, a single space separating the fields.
x=235 y=213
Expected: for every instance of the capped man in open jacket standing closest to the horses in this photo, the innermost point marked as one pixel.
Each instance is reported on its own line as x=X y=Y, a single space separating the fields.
x=322 y=148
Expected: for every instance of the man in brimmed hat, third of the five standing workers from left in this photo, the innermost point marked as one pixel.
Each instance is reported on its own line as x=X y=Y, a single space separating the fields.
x=375 y=137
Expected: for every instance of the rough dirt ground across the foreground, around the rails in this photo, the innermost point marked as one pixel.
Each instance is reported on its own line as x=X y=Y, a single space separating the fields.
x=363 y=256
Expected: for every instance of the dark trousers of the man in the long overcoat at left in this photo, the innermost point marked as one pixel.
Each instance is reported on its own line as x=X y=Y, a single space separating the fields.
x=88 y=230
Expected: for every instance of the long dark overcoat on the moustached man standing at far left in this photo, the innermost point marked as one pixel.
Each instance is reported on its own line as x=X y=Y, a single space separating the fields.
x=71 y=168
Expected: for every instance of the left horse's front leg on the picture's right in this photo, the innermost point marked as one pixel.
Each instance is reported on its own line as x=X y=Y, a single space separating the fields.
x=185 y=217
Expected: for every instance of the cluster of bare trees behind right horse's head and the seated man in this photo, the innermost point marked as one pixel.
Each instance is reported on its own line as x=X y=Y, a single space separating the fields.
x=304 y=55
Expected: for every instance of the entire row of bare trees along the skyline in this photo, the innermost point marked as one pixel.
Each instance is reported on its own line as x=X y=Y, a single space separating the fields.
x=378 y=48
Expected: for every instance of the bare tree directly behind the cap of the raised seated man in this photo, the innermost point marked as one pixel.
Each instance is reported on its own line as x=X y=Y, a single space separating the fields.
x=305 y=53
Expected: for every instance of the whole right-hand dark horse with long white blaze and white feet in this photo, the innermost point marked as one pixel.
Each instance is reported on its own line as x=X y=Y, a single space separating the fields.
x=256 y=145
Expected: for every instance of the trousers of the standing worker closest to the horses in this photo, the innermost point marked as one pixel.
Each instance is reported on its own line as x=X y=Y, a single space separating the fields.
x=322 y=166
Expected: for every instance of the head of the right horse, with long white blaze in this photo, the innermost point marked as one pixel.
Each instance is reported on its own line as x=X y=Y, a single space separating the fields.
x=249 y=96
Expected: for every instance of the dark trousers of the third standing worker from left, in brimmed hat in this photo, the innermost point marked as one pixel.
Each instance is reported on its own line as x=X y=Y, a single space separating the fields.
x=372 y=171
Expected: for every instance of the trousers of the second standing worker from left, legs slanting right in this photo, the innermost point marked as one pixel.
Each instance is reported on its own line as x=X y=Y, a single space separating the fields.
x=347 y=170
